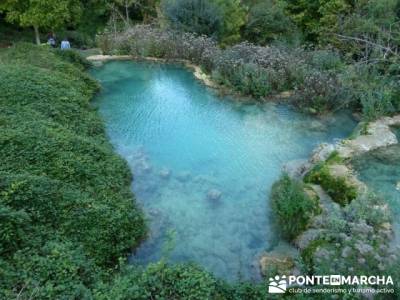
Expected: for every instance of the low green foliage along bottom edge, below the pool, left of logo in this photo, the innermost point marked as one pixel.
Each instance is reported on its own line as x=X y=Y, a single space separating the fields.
x=181 y=281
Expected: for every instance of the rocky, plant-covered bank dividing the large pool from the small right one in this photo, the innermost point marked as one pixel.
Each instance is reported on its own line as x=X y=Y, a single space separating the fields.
x=353 y=233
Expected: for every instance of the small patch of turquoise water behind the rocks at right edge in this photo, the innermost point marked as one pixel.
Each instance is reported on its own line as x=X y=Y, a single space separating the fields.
x=380 y=170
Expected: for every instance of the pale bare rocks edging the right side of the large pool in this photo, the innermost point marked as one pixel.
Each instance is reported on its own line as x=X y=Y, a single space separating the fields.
x=375 y=135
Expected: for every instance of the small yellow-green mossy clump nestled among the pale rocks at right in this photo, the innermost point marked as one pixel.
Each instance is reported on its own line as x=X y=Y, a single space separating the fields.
x=337 y=187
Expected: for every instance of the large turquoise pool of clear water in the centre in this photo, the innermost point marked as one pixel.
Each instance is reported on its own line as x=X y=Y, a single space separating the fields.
x=183 y=142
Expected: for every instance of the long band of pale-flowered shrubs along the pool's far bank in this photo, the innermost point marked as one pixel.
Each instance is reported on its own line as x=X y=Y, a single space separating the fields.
x=249 y=69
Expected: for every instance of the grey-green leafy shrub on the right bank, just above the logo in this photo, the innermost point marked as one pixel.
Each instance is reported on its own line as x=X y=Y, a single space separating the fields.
x=355 y=240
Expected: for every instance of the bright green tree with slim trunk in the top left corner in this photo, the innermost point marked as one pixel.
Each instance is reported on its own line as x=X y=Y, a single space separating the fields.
x=49 y=14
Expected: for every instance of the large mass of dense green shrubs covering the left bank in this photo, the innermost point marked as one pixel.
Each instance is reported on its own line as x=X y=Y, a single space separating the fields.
x=66 y=210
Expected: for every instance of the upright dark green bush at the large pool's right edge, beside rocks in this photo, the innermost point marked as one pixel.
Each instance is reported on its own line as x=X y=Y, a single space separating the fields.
x=292 y=207
